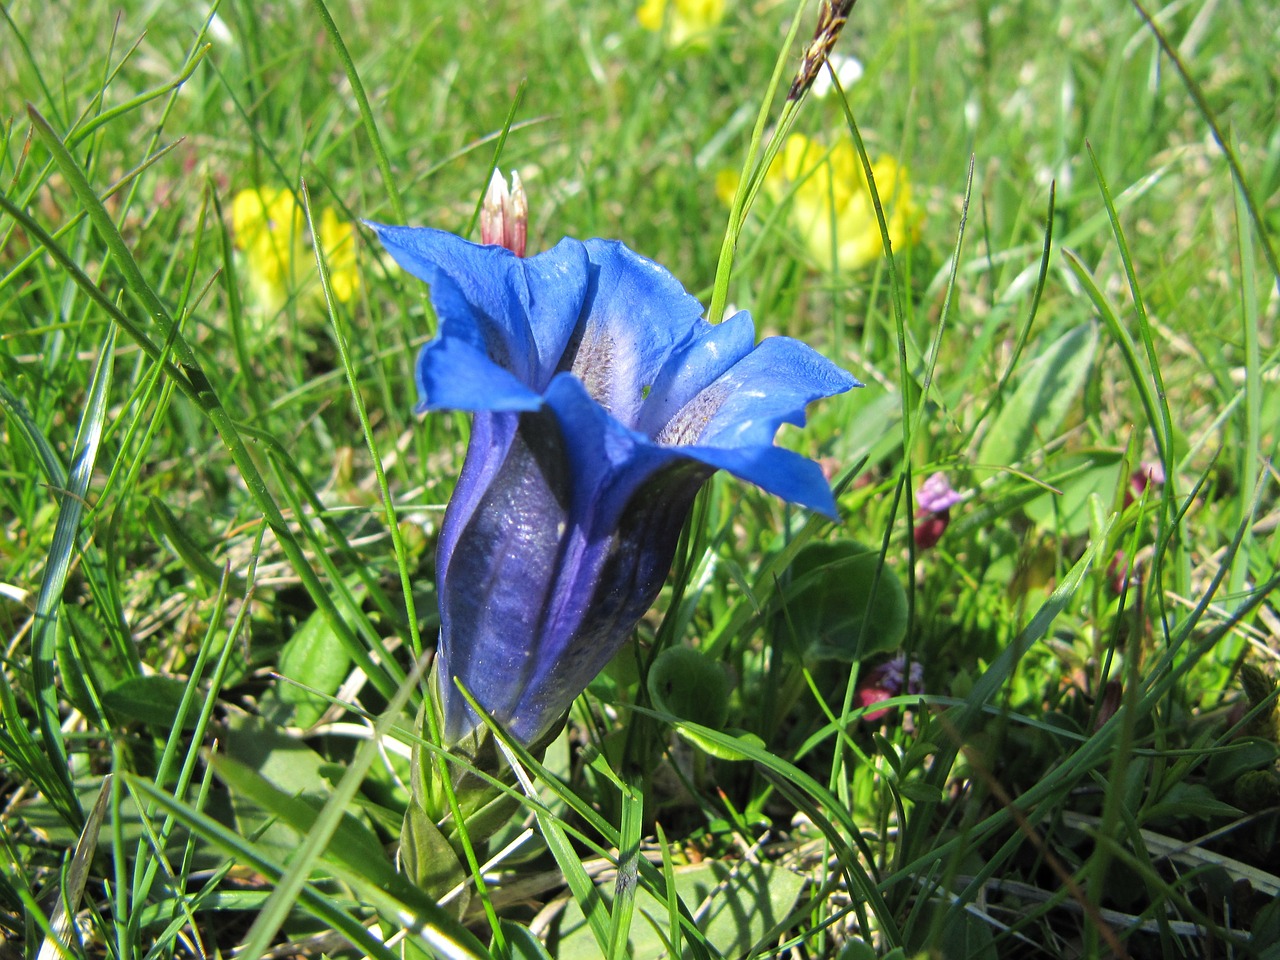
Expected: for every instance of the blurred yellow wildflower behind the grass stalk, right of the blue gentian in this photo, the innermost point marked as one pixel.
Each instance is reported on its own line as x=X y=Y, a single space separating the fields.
x=828 y=190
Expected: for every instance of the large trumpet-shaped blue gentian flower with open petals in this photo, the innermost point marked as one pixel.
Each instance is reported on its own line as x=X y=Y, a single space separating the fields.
x=601 y=404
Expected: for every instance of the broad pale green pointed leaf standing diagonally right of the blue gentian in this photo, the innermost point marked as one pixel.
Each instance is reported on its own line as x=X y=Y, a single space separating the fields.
x=1046 y=391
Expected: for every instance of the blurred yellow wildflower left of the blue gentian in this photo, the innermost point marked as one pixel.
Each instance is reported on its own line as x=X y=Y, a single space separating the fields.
x=271 y=231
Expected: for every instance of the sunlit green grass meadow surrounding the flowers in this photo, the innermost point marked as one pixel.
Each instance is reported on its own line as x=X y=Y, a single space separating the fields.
x=218 y=520
